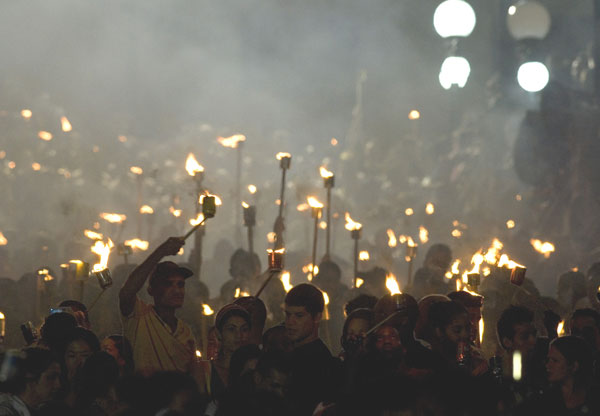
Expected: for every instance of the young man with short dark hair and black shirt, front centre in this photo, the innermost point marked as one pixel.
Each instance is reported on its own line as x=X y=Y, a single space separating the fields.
x=312 y=366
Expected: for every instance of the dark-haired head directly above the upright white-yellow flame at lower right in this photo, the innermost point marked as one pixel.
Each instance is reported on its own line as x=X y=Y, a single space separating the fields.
x=516 y=331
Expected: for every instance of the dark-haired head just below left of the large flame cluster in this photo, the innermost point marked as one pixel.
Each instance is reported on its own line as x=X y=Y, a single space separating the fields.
x=451 y=323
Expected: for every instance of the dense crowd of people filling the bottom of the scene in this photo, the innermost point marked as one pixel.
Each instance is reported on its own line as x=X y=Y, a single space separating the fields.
x=425 y=351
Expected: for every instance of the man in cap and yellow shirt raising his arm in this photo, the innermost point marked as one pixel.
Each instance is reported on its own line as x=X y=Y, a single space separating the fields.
x=160 y=341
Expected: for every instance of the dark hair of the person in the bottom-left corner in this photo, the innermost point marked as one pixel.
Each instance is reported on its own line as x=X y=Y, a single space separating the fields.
x=30 y=364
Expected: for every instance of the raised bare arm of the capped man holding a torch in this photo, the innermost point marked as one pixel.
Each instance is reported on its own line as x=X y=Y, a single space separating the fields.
x=138 y=277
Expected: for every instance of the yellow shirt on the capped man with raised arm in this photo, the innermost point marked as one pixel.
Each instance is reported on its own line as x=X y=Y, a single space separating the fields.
x=155 y=346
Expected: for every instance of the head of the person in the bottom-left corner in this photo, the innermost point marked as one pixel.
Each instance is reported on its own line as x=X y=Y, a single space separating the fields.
x=37 y=378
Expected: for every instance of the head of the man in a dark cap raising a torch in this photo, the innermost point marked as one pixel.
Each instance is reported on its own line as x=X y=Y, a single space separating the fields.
x=167 y=284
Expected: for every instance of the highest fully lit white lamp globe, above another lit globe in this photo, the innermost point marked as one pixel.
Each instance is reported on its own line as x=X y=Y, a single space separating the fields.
x=454 y=18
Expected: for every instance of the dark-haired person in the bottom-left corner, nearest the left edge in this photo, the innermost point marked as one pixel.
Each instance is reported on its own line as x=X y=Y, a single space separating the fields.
x=37 y=380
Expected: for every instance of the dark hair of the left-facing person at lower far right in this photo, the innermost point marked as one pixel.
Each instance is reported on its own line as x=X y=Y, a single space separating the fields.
x=576 y=349
